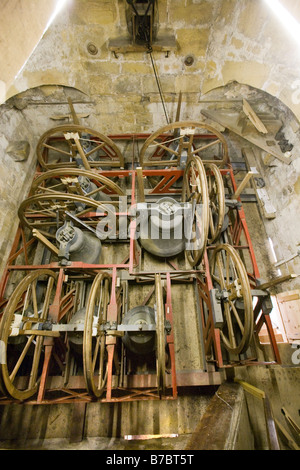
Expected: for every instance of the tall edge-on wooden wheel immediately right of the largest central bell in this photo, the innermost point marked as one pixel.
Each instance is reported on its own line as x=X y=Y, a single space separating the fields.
x=195 y=192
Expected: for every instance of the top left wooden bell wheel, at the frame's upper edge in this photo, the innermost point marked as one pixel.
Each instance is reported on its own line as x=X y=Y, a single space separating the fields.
x=74 y=145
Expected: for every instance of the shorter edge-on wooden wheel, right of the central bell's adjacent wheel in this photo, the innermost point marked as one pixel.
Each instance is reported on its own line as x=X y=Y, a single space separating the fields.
x=216 y=194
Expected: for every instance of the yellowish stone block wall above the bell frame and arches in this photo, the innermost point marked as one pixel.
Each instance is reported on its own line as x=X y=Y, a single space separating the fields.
x=228 y=40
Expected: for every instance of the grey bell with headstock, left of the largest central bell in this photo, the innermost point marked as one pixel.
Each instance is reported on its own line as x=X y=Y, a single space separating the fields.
x=77 y=245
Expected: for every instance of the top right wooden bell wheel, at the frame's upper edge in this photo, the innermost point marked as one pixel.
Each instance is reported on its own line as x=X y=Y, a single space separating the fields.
x=185 y=141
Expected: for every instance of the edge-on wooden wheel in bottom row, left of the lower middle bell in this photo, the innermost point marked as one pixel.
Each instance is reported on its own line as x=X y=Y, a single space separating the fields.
x=94 y=338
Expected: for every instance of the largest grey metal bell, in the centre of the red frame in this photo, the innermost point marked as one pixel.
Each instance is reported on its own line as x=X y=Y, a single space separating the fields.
x=162 y=231
